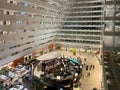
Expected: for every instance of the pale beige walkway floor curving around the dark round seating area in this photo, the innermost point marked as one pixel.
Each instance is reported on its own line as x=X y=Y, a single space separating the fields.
x=94 y=80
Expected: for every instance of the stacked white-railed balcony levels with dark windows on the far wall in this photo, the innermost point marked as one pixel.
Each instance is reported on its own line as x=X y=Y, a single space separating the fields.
x=82 y=22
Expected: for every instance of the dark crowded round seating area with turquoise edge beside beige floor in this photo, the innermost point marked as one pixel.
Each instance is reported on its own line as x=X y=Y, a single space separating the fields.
x=64 y=76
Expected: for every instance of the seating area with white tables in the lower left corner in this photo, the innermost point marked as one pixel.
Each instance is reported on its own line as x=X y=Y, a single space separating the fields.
x=13 y=78
